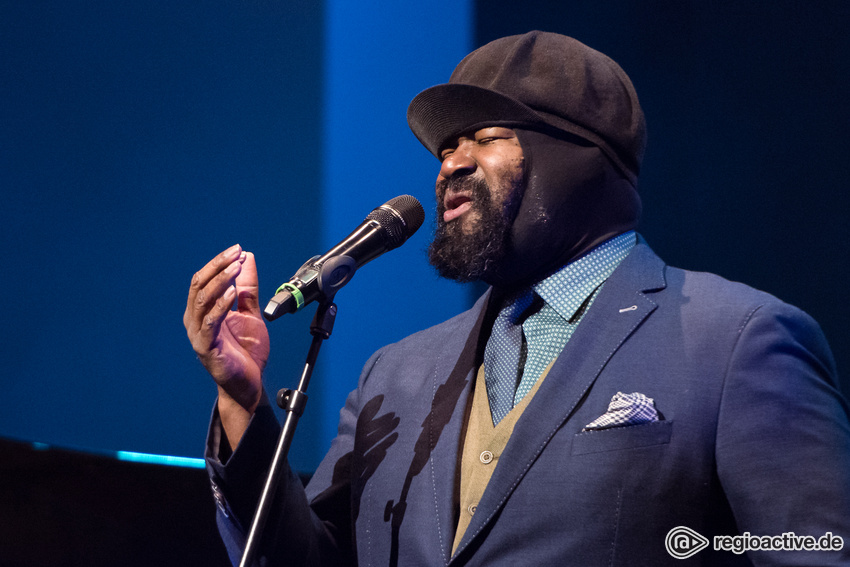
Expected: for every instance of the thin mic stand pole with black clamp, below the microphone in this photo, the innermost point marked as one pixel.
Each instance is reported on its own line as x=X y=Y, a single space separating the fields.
x=293 y=402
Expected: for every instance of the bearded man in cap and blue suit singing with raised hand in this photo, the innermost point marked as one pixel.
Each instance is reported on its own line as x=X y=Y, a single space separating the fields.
x=591 y=403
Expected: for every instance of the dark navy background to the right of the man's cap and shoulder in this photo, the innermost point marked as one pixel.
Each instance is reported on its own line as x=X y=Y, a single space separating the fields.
x=746 y=171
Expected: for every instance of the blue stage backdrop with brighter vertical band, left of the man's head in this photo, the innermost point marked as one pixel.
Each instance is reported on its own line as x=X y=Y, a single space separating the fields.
x=140 y=139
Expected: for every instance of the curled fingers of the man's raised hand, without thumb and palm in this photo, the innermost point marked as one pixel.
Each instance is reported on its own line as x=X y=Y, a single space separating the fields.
x=208 y=286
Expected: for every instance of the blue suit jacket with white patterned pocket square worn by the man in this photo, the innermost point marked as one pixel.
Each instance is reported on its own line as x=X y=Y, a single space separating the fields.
x=754 y=437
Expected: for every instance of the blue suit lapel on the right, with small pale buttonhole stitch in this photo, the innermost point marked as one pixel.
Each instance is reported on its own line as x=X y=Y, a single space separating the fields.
x=615 y=314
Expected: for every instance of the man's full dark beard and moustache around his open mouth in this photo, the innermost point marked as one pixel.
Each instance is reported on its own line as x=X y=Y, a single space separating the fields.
x=475 y=254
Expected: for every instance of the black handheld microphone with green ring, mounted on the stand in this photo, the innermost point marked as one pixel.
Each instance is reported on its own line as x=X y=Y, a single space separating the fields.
x=384 y=229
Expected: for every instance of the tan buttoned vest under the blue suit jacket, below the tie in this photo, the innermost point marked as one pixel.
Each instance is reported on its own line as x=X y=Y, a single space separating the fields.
x=482 y=447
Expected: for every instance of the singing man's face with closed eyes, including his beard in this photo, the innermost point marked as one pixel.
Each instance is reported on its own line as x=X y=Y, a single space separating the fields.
x=479 y=189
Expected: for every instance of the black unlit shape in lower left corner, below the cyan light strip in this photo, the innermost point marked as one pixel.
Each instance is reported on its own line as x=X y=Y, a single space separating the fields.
x=63 y=508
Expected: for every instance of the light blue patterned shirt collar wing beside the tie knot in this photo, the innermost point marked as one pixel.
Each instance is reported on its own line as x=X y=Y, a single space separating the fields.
x=568 y=288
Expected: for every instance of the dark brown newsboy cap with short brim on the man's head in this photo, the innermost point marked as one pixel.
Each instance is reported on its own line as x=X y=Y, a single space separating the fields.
x=540 y=81
